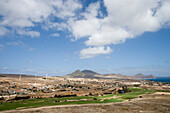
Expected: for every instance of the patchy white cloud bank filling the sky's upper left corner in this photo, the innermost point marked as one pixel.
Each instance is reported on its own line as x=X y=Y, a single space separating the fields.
x=26 y=13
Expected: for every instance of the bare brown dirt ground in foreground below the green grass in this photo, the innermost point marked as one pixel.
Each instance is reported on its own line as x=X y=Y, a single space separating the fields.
x=152 y=103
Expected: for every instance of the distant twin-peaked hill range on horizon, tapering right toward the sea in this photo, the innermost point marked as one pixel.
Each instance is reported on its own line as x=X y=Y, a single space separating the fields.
x=92 y=74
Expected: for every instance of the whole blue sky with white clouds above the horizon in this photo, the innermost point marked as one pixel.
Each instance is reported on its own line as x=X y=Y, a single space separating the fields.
x=107 y=36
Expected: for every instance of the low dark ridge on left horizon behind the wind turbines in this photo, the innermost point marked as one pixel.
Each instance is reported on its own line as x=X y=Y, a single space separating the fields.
x=17 y=75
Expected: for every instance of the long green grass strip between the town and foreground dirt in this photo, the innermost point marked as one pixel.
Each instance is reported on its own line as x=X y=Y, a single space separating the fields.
x=33 y=103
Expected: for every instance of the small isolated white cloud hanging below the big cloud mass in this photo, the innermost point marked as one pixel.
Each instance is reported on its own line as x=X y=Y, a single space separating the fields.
x=94 y=51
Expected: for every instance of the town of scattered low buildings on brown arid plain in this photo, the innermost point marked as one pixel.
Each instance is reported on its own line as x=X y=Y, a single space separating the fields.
x=20 y=88
